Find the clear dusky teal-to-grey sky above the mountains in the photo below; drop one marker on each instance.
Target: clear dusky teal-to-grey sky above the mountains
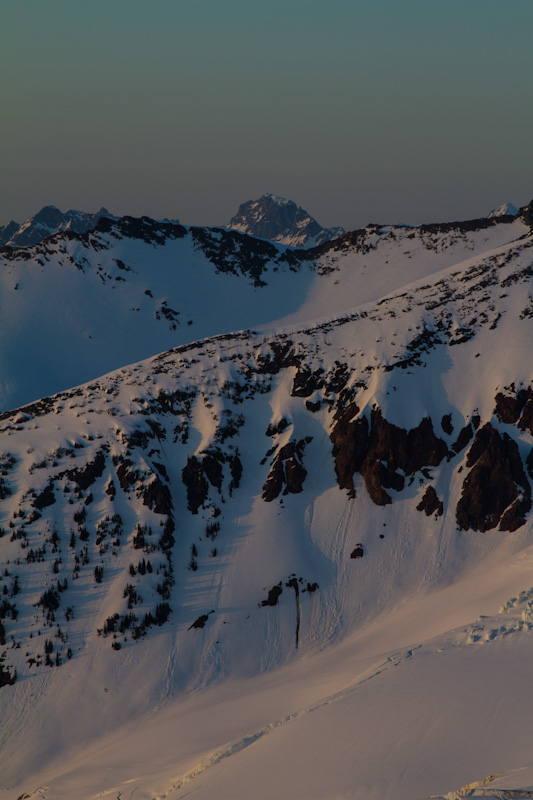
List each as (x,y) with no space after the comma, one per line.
(360,111)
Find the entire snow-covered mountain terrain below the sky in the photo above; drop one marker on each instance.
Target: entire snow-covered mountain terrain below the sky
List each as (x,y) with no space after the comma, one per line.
(265,511)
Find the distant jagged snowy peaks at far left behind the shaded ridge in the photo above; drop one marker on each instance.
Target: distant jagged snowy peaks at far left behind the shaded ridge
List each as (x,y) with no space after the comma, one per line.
(46,222)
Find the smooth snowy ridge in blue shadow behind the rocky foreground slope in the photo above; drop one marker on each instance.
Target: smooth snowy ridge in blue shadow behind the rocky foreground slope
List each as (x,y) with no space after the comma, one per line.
(78,305)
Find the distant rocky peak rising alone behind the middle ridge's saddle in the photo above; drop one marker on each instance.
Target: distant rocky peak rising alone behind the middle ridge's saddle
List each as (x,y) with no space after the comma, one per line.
(282,221)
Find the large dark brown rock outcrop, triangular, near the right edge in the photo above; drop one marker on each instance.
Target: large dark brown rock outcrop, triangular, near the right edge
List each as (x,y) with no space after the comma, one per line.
(496,491)
